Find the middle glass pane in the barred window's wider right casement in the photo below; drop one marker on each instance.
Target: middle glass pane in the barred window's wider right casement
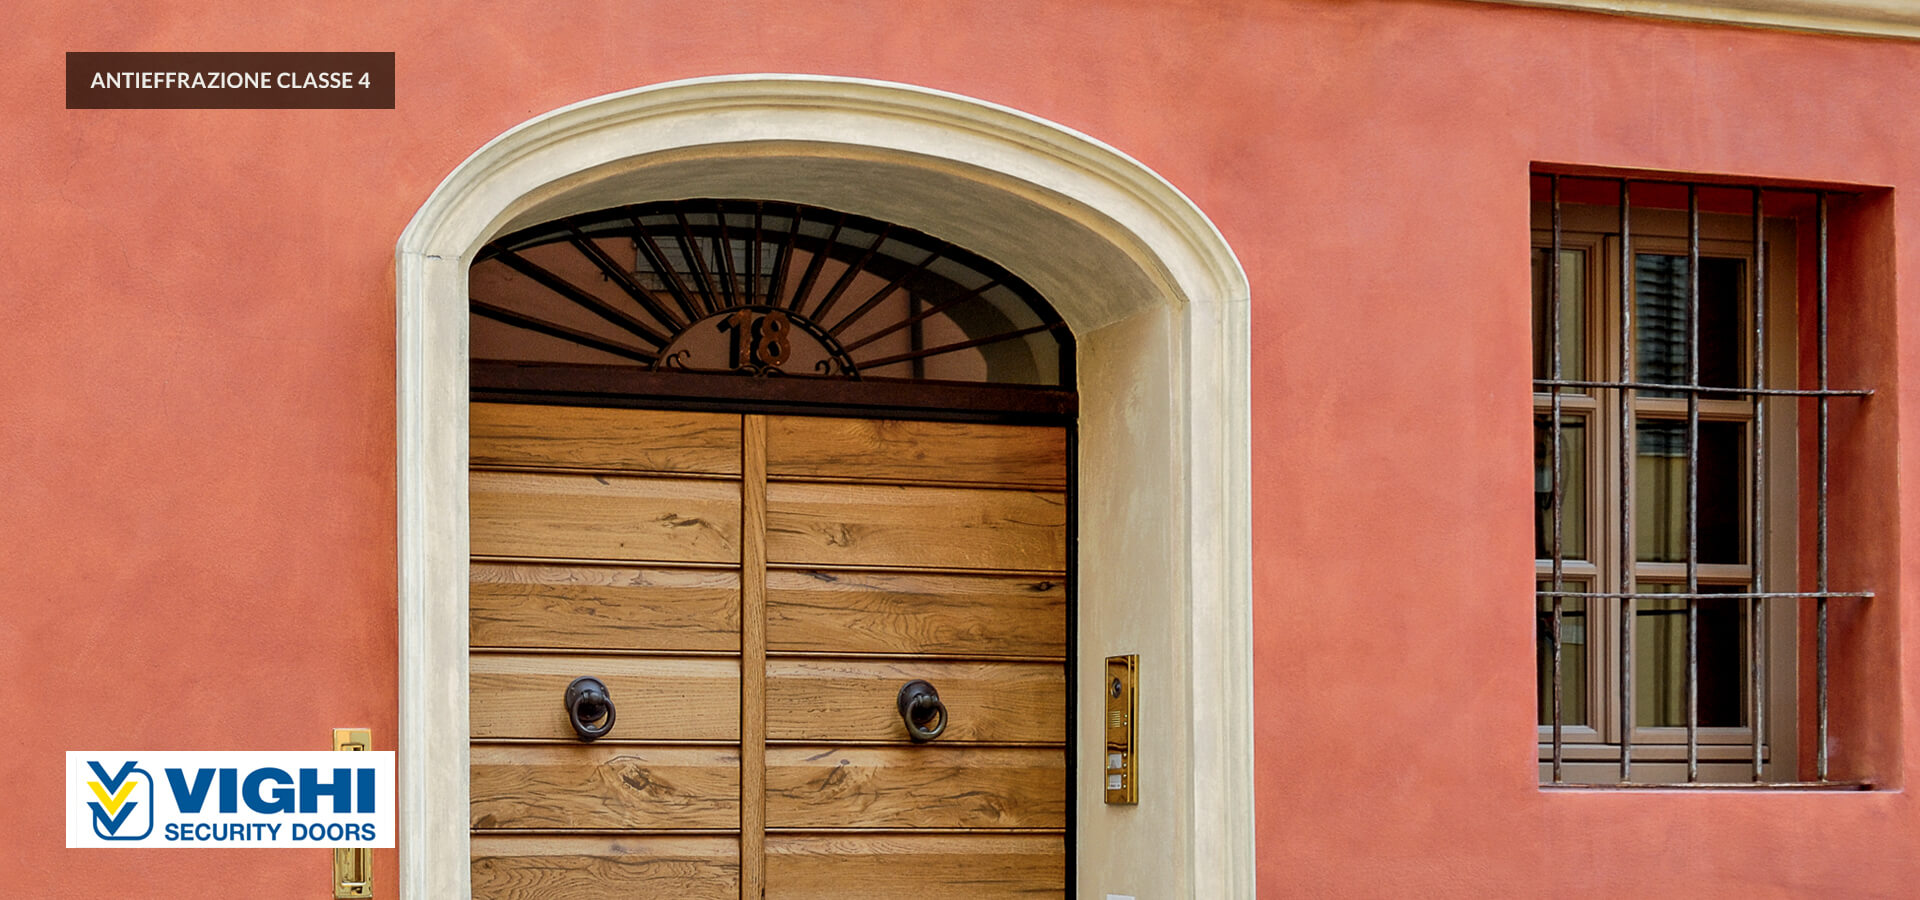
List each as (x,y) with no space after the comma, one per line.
(1660,492)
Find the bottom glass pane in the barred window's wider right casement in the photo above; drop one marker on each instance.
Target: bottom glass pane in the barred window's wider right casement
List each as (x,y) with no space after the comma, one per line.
(1660,659)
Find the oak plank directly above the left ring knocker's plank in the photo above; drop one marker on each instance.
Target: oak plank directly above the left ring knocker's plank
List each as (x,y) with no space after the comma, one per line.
(604,607)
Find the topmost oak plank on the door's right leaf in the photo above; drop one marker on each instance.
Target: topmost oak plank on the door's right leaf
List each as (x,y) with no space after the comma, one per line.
(888,450)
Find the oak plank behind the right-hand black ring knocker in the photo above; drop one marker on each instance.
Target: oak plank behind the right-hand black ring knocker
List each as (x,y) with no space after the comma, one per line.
(832,701)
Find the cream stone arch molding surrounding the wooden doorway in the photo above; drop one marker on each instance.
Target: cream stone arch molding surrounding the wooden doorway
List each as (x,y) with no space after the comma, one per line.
(1157,302)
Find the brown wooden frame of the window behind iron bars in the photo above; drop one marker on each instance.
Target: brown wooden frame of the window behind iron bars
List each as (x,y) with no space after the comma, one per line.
(1593,749)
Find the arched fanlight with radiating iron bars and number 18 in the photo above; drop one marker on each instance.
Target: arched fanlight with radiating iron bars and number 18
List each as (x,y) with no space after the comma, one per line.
(761,289)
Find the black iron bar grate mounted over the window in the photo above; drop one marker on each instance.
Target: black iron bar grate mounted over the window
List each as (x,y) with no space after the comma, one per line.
(1671,367)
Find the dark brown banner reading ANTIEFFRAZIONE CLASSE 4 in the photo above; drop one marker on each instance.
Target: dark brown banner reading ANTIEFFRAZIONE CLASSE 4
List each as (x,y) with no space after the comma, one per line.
(229,82)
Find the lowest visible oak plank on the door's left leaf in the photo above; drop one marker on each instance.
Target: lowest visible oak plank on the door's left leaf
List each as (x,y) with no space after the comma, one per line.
(594,868)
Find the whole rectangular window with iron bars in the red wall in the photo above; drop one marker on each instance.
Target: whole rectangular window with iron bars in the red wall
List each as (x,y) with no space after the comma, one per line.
(1673,609)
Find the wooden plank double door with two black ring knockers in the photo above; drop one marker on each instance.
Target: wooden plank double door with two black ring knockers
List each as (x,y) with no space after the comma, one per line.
(756,592)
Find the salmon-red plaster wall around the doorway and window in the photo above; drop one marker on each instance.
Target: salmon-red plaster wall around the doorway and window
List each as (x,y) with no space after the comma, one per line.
(197,423)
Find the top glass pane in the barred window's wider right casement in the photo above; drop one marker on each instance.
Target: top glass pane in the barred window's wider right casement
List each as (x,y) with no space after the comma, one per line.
(1662,314)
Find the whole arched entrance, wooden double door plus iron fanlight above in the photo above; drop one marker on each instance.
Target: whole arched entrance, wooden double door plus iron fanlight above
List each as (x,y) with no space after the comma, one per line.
(792,486)
